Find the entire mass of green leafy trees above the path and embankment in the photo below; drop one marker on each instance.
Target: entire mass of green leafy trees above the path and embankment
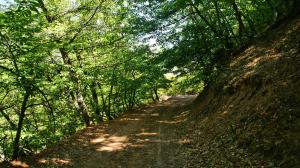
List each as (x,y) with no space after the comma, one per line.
(69,63)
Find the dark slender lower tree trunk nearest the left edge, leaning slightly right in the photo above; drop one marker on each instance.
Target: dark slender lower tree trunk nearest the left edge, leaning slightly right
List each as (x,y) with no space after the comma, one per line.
(16,143)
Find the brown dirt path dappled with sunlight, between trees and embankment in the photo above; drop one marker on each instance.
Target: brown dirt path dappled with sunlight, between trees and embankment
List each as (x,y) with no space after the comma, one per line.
(149,137)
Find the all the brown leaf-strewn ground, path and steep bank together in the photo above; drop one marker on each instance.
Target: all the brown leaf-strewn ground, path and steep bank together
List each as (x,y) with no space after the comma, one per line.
(248,118)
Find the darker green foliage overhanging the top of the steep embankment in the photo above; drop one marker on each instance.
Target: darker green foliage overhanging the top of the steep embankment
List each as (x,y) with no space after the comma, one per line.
(199,36)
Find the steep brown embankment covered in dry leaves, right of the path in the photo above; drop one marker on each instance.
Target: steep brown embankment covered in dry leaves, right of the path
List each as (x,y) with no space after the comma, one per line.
(250,117)
